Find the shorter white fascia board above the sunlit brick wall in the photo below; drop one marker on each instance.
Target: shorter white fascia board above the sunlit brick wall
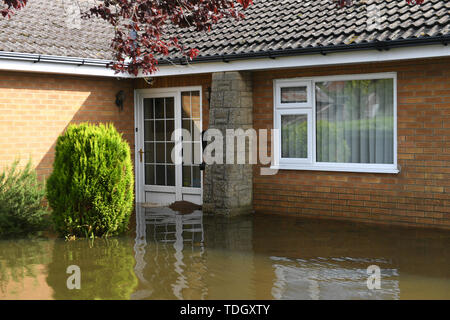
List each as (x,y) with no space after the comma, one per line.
(60,68)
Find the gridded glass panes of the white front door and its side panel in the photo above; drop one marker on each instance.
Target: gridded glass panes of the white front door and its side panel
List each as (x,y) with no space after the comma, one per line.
(159,124)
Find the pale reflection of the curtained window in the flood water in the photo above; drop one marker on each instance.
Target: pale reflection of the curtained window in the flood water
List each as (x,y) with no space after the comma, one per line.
(333,278)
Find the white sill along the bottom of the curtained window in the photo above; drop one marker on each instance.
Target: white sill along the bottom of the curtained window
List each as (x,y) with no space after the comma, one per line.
(368,169)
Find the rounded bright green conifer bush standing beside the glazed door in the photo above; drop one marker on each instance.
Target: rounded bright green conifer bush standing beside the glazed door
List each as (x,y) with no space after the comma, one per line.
(91,187)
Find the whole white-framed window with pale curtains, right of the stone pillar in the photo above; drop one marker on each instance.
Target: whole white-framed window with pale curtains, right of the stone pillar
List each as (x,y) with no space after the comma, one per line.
(343,123)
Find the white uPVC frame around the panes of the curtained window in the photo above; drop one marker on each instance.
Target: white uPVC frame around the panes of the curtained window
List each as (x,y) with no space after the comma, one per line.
(279,109)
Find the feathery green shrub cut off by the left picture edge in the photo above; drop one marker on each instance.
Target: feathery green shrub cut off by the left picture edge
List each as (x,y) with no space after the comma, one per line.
(21,202)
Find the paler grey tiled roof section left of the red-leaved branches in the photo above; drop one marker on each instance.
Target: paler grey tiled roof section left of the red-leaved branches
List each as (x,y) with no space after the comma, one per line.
(47,27)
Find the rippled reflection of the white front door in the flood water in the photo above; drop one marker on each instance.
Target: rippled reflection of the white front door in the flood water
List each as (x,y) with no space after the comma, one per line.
(165,234)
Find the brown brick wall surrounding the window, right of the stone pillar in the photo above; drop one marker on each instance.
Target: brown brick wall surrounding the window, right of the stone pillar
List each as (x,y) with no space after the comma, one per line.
(418,195)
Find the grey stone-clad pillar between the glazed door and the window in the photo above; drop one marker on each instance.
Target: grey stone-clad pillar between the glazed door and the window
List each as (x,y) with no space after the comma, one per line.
(228,188)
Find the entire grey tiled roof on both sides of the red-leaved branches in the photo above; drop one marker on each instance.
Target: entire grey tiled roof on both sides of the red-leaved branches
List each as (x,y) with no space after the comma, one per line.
(270,27)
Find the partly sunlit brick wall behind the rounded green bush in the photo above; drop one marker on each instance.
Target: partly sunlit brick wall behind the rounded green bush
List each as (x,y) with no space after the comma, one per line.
(35,109)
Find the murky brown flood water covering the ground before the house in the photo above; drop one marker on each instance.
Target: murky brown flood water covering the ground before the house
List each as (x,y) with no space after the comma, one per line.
(174,256)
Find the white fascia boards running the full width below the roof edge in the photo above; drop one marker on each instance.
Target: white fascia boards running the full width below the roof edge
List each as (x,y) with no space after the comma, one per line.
(10,61)
